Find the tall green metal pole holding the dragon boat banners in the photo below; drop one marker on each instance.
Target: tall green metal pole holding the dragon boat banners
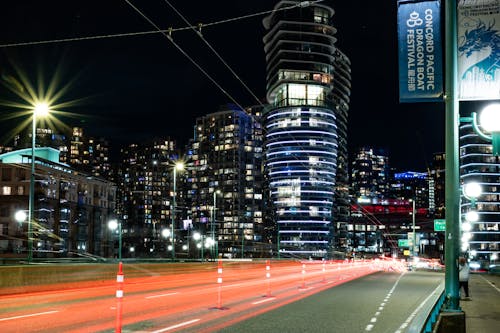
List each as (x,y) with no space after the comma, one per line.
(452,191)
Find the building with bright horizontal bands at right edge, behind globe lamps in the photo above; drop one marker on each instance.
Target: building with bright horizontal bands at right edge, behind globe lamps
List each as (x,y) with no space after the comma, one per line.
(477,164)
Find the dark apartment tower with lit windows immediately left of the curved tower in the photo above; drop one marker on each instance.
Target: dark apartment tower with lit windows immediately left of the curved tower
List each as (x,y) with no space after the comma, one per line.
(225,182)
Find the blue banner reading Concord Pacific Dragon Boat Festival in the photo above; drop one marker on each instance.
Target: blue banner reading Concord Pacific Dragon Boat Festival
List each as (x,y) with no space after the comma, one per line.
(420,55)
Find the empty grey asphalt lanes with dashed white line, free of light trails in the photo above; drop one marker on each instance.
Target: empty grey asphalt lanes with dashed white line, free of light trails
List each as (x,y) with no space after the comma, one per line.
(381,302)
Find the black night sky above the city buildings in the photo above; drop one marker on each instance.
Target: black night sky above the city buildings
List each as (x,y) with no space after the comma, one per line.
(133,88)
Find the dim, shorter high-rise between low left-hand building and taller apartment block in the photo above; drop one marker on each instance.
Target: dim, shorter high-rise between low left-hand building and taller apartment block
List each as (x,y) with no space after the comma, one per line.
(145,196)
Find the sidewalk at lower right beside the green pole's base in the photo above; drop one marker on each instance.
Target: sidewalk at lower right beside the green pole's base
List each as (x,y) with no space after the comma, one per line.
(482,311)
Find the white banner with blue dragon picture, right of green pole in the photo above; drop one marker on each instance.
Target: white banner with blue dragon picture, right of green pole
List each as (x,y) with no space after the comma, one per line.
(478,49)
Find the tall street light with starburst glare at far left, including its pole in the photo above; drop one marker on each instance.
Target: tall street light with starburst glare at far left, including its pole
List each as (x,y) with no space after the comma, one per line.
(40,109)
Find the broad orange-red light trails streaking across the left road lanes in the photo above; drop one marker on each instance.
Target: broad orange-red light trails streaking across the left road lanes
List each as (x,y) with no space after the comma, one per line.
(172,298)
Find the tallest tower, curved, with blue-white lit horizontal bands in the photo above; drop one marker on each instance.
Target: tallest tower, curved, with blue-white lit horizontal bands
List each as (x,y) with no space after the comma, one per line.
(308,87)
